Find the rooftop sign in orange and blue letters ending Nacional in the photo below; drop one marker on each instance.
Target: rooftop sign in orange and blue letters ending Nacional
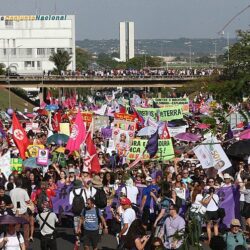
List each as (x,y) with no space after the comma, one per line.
(34,18)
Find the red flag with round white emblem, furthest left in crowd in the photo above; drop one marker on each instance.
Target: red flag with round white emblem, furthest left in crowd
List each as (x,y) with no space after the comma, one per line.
(19,136)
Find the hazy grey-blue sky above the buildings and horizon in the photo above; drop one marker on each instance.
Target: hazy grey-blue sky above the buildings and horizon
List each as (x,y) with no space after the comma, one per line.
(154,19)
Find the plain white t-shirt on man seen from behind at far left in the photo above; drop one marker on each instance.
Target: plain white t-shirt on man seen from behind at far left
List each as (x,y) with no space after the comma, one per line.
(19,195)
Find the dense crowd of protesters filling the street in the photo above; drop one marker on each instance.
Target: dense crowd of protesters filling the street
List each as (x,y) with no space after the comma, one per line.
(151,205)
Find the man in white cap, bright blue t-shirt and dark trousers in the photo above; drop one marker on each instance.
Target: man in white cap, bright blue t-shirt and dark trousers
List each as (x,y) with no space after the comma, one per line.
(149,202)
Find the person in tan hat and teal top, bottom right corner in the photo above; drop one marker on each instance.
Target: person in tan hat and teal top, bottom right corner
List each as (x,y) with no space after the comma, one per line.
(234,237)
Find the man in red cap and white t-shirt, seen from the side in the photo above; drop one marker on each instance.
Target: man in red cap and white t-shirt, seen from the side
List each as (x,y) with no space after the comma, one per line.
(127,217)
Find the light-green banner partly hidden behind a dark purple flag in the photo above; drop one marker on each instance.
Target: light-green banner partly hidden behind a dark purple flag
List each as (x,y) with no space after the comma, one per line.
(165,150)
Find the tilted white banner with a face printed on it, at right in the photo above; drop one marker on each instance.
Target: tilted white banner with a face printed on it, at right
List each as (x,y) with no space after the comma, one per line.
(212,155)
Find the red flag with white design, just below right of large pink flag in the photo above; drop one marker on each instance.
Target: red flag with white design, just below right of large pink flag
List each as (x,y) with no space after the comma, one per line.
(92,157)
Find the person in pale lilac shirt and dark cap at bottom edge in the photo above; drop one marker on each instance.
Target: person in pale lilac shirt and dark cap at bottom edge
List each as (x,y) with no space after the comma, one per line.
(172,225)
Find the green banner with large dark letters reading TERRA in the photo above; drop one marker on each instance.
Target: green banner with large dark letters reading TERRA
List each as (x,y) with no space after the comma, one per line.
(165,114)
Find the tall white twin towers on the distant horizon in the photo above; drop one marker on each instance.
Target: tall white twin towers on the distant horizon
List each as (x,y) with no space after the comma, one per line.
(127,44)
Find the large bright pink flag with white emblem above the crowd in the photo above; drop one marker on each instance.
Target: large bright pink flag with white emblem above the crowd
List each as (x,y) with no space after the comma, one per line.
(78,134)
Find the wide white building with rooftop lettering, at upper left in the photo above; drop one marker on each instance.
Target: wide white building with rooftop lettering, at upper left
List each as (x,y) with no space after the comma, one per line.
(26,42)
